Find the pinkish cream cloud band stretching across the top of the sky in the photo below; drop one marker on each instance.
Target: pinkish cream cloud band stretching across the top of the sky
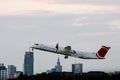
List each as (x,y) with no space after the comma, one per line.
(32,7)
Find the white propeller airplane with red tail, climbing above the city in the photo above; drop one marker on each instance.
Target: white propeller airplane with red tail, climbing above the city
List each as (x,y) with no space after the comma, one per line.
(67,51)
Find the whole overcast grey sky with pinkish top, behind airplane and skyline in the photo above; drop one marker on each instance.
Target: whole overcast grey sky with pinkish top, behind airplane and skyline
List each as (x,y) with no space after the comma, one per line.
(85,25)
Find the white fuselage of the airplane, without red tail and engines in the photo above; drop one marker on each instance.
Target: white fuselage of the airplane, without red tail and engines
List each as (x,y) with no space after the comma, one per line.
(61,50)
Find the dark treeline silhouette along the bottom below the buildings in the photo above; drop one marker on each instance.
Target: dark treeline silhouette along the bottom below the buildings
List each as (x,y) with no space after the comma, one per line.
(70,76)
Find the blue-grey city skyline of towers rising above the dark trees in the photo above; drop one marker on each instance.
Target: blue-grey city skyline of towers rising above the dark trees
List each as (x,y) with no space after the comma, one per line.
(29,67)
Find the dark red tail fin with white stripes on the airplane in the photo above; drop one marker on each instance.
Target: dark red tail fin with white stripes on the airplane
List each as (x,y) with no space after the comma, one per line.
(102,52)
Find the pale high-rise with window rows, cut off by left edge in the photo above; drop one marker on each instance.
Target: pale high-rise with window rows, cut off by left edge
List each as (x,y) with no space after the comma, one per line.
(3,72)
